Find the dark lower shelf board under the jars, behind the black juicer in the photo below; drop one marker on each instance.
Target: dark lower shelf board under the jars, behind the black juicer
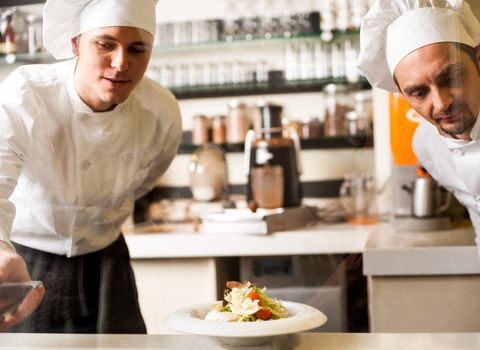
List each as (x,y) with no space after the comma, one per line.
(339,142)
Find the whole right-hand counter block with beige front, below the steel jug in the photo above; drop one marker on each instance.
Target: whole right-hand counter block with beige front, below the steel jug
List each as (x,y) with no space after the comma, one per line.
(429,280)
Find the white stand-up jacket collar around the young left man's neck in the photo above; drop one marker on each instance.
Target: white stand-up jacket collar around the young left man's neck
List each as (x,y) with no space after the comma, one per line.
(79,106)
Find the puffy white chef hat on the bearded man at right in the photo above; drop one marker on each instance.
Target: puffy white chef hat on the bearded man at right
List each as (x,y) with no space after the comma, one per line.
(394,28)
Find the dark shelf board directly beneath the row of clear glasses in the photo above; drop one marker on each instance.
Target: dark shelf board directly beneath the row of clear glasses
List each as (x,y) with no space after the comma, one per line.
(252,89)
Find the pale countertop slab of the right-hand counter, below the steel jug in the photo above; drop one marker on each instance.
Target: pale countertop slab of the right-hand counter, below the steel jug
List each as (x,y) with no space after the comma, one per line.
(445,252)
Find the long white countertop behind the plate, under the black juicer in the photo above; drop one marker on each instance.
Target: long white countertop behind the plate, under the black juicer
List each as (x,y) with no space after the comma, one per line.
(180,241)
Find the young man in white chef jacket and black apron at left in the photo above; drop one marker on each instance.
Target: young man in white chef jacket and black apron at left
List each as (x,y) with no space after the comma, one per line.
(80,140)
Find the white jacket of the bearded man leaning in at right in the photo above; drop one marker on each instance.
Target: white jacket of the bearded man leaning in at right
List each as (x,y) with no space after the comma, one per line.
(455,164)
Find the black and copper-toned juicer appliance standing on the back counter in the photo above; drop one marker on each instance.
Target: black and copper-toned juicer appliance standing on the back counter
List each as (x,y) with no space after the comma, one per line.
(272,161)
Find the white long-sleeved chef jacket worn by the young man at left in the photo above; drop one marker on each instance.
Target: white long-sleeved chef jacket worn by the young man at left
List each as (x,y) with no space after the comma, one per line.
(69,176)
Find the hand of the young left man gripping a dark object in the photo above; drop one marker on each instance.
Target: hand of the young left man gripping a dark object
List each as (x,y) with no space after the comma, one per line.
(13,269)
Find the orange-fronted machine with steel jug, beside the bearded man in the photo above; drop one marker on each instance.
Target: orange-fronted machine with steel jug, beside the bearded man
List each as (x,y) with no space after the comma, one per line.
(418,202)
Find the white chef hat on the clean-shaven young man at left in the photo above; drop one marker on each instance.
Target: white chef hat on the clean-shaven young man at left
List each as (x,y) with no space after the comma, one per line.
(65,19)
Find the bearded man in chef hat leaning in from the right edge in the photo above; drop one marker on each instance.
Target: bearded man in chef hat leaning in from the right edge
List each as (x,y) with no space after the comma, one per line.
(429,51)
